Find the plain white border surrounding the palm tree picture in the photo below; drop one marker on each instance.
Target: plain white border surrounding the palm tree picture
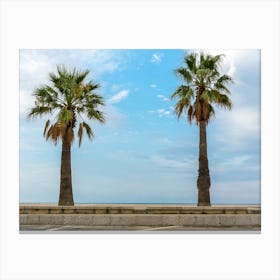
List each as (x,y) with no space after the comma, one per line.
(140,24)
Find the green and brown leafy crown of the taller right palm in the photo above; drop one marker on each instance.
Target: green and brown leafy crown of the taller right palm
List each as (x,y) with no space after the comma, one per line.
(204,86)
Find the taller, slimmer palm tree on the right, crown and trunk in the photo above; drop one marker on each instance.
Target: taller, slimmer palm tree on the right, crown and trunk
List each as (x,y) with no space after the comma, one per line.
(204,86)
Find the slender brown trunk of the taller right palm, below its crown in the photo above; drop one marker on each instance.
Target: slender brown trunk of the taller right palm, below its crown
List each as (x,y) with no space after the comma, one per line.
(203,181)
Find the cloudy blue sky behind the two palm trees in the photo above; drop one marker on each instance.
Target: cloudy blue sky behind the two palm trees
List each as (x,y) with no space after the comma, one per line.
(143,153)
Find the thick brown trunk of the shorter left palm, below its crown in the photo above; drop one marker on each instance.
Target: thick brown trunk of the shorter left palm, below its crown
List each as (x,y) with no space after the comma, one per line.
(66,194)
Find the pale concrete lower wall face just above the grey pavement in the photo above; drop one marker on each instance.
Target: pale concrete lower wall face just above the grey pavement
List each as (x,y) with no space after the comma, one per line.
(193,220)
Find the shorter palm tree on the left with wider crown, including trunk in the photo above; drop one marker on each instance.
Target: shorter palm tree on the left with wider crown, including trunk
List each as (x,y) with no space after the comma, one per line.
(69,99)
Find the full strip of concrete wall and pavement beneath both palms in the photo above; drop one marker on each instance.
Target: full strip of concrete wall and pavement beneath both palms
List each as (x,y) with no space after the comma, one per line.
(139,218)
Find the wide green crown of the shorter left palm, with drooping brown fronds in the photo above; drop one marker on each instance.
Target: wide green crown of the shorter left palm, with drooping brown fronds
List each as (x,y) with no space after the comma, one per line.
(68,96)
